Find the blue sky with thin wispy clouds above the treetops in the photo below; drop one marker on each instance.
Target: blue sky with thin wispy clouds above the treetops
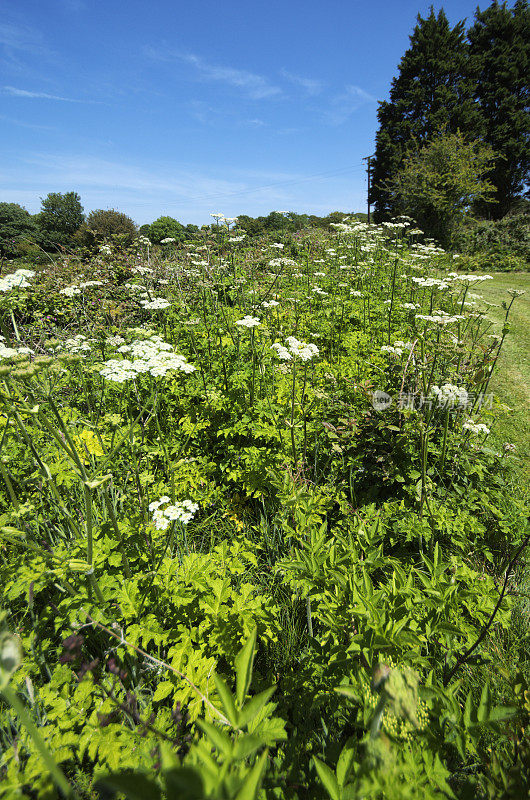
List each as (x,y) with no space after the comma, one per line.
(192,108)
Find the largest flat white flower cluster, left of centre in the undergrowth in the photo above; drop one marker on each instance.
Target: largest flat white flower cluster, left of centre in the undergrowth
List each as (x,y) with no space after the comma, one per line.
(151,355)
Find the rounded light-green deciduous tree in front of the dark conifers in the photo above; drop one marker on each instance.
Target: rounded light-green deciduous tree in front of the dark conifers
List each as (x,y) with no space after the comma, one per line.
(440,181)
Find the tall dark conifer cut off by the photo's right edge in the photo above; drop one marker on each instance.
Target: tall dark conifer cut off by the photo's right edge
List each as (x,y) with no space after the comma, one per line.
(500,56)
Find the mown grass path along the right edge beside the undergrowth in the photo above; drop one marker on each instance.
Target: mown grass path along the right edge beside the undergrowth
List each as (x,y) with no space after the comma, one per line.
(511,382)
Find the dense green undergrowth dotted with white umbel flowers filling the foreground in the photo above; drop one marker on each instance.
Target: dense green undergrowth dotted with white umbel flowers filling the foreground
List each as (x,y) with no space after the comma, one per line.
(255,542)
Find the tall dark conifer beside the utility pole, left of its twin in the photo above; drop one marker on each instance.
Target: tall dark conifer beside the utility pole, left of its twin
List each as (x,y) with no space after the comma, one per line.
(432,92)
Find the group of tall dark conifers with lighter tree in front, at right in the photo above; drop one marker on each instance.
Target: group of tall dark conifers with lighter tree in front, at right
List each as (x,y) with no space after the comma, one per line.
(457,112)
